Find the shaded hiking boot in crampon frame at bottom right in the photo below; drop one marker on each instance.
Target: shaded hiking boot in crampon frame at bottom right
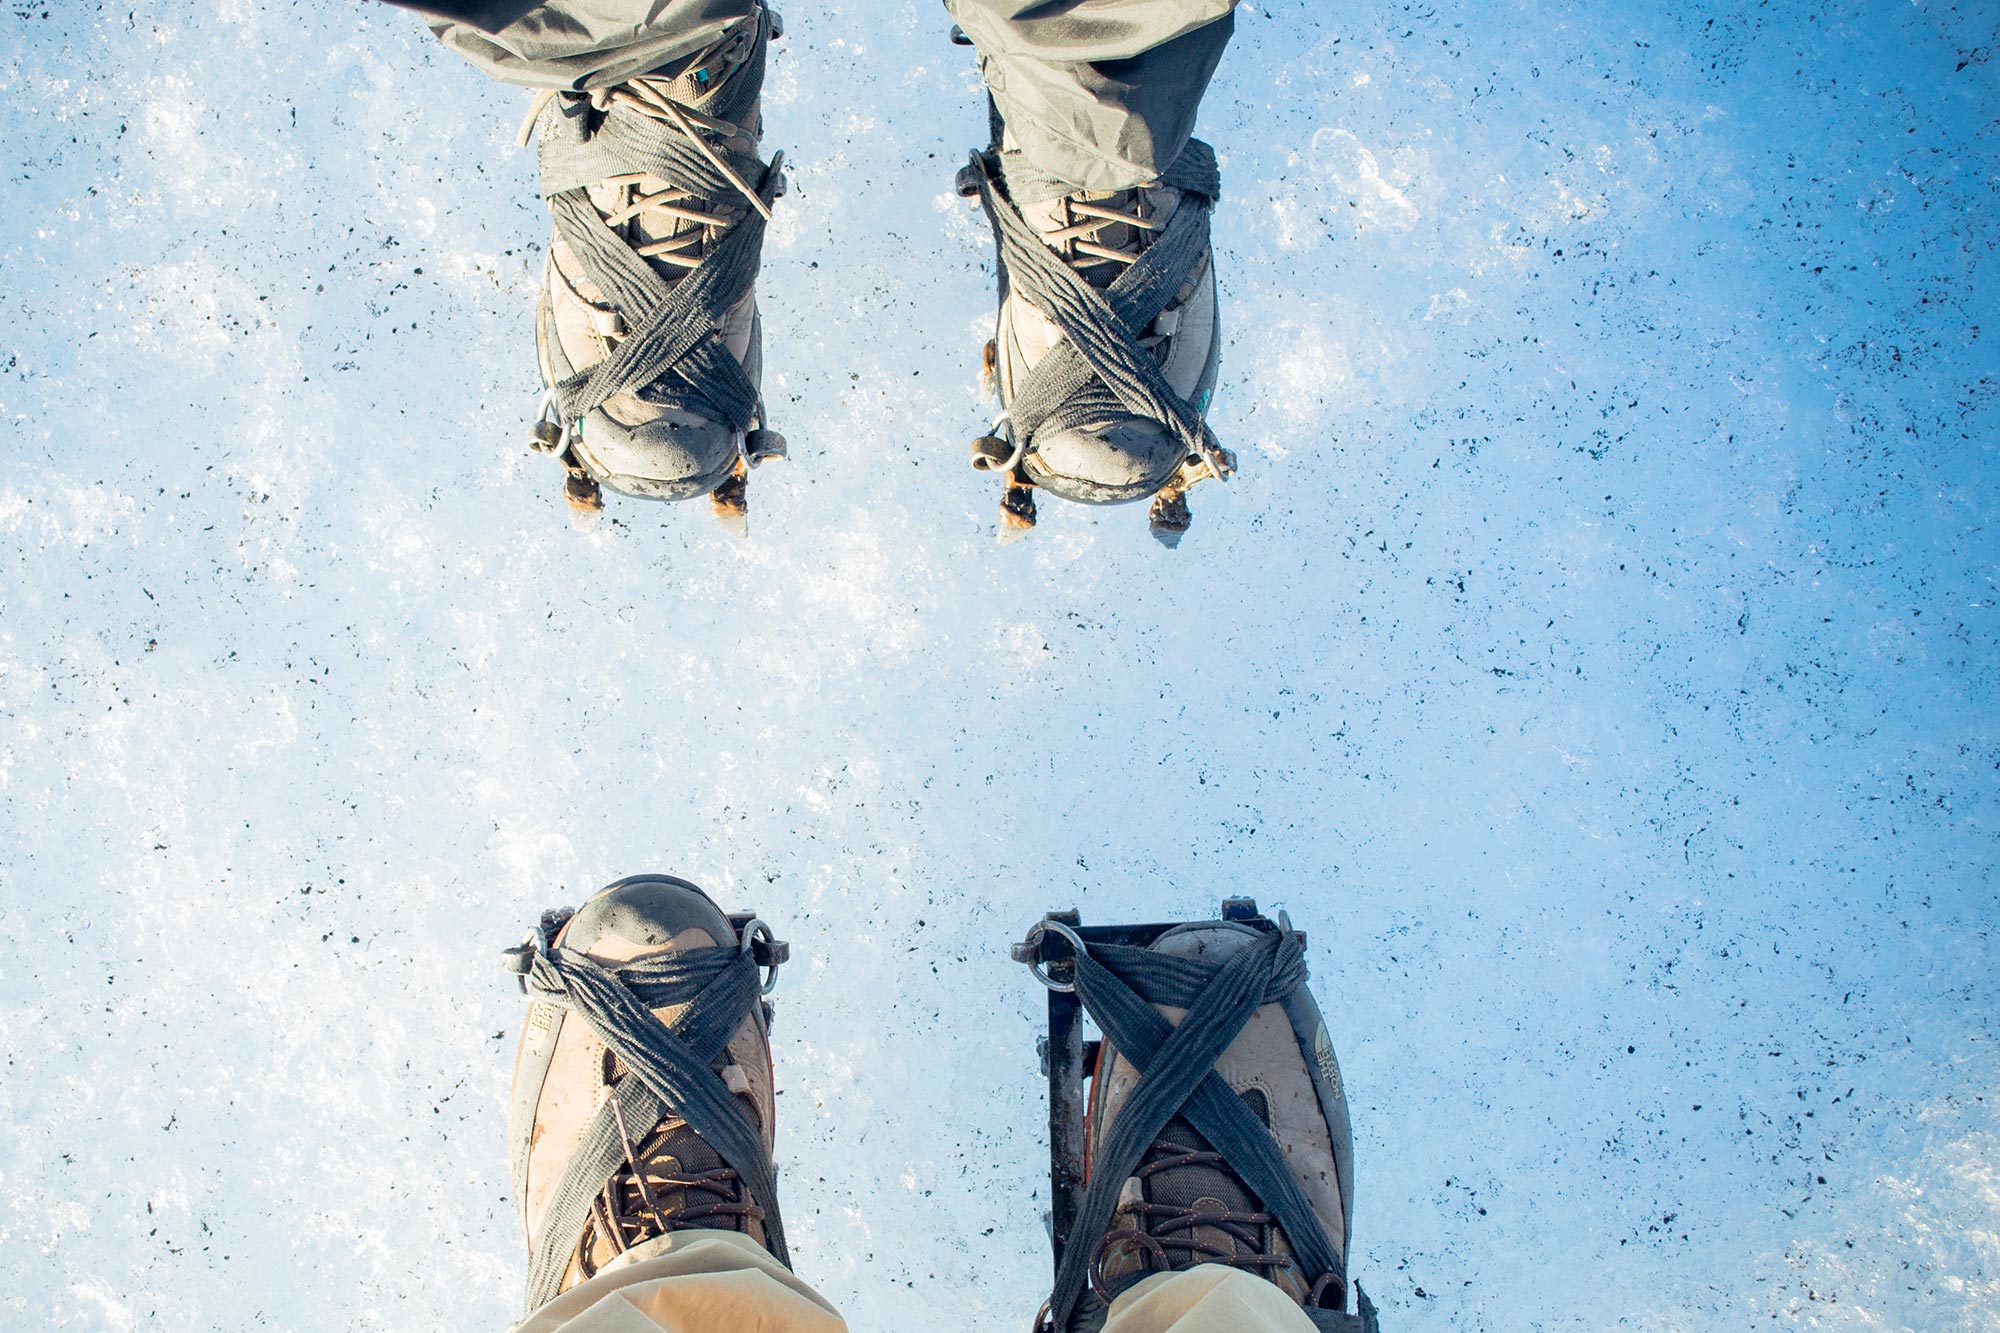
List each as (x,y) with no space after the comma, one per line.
(1235,1150)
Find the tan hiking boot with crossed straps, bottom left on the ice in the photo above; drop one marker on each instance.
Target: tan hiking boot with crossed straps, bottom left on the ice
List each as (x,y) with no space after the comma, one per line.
(647,988)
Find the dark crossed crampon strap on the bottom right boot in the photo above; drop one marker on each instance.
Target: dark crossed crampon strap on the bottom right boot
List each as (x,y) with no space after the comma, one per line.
(1119,988)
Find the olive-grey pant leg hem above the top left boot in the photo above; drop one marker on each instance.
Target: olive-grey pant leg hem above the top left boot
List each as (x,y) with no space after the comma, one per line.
(591,43)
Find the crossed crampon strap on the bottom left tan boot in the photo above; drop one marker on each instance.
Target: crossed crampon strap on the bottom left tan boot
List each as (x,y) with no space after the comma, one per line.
(669,1068)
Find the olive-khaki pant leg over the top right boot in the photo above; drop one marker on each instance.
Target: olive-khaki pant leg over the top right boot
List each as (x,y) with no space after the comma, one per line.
(1099,93)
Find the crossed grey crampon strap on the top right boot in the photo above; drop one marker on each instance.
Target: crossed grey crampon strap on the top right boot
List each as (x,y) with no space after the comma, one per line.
(1101,369)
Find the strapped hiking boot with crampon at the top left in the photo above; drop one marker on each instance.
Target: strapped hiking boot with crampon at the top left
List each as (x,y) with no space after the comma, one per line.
(647,325)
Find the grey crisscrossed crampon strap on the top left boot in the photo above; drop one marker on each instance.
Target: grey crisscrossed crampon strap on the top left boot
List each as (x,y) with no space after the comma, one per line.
(673,351)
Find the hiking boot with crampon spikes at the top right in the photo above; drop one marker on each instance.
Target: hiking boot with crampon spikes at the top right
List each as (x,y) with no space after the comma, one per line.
(1119,413)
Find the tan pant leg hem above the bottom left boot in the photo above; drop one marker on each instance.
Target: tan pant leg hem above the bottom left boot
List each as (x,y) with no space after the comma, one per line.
(691,1282)
